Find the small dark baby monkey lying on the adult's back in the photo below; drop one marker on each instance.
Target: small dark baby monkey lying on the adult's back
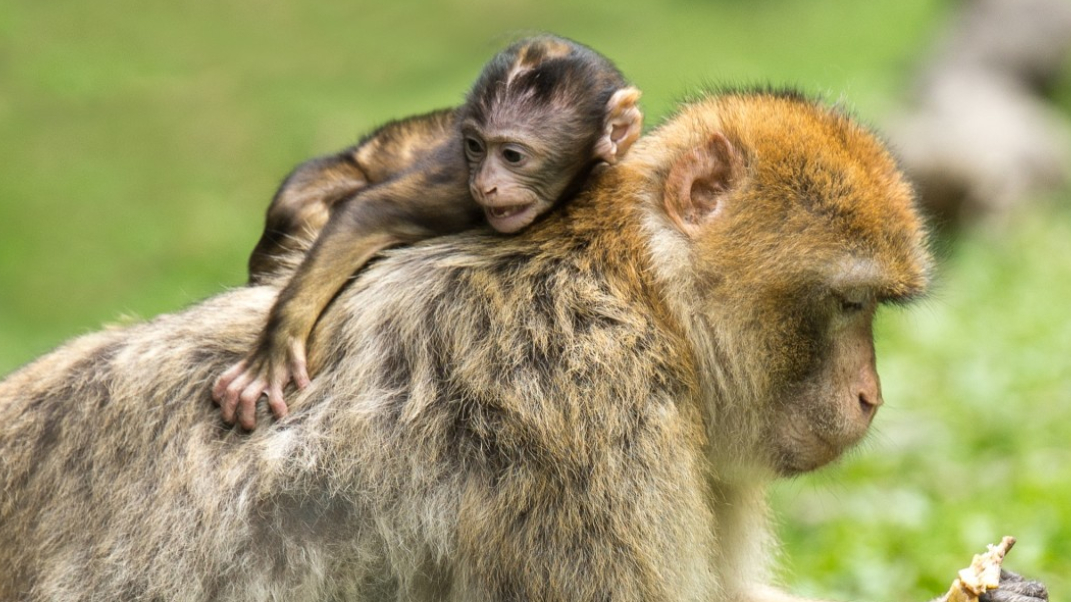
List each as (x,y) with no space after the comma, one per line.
(541,116)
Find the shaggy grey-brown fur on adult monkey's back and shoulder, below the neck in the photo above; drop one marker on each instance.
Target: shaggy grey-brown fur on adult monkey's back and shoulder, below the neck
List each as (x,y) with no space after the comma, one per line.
(122,484)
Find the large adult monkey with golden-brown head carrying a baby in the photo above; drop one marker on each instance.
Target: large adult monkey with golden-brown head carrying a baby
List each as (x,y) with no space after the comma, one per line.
(591,411)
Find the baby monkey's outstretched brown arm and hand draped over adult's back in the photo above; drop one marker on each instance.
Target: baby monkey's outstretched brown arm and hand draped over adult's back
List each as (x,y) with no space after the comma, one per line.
(430,200)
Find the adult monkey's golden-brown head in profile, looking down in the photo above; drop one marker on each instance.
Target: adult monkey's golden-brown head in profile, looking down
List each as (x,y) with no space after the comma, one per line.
(781,229)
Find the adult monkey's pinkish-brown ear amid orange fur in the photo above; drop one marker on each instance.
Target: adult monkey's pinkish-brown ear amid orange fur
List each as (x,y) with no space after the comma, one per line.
(700,182)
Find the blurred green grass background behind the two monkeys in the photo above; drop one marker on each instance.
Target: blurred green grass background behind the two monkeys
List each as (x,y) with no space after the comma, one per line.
(141,142)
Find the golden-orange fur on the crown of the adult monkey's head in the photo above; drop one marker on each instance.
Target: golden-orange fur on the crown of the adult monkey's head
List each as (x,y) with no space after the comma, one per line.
(831,163)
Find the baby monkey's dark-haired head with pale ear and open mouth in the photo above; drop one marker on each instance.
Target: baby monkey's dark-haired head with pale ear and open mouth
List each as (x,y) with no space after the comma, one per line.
(541,115)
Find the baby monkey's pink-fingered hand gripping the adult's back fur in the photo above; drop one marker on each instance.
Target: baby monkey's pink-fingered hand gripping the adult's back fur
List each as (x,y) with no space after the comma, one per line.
(238,390)
